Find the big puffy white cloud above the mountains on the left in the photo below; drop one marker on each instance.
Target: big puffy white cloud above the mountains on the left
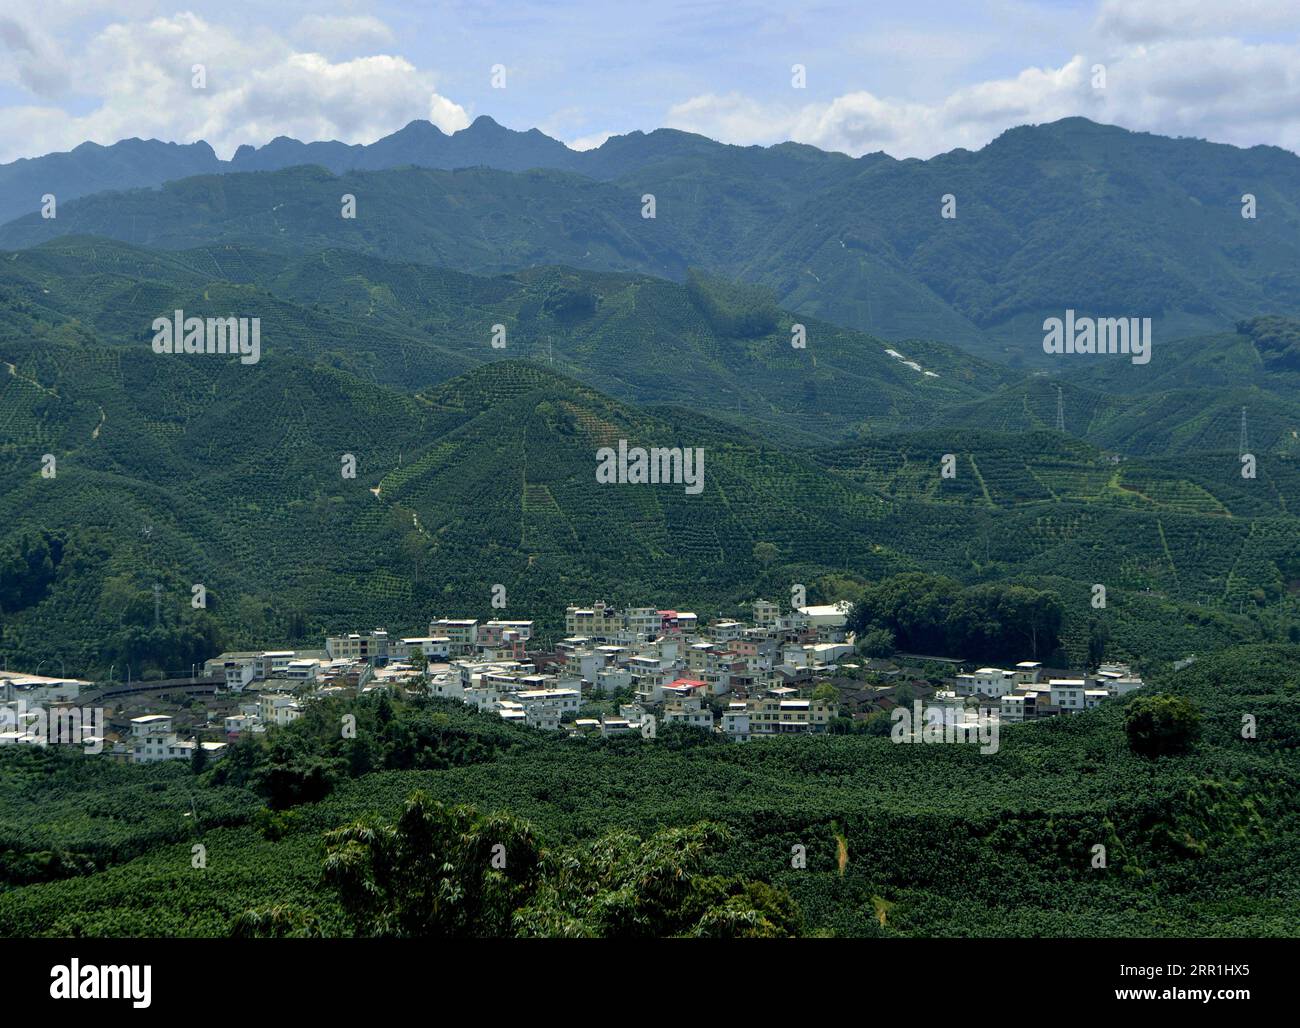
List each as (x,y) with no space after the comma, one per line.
(258,88)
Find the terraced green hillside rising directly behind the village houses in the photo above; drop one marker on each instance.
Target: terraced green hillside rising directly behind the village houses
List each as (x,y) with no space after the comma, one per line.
(209,471)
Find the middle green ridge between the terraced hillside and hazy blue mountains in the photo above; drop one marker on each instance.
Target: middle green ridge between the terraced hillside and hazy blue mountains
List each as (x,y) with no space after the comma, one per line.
(709,345)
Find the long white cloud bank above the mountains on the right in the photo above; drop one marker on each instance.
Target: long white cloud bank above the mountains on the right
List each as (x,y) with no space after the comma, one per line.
(1221,89)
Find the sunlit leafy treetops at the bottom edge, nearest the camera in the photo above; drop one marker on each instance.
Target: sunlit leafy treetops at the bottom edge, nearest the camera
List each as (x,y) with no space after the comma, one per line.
(452,871)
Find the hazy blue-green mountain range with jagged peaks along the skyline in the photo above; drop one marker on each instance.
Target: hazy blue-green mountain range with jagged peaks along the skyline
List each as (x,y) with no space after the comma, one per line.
(1067,215)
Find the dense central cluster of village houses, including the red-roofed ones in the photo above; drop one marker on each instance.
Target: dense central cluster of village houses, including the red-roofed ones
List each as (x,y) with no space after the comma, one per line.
(673,667)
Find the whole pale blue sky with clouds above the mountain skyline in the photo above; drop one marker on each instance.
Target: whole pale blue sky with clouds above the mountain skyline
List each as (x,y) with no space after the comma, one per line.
(911,79)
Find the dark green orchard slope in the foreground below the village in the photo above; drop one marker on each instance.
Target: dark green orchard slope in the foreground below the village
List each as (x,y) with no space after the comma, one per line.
(935,840)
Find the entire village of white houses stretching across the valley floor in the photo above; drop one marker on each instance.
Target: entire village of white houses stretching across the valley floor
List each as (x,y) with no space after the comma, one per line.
(617,673)
